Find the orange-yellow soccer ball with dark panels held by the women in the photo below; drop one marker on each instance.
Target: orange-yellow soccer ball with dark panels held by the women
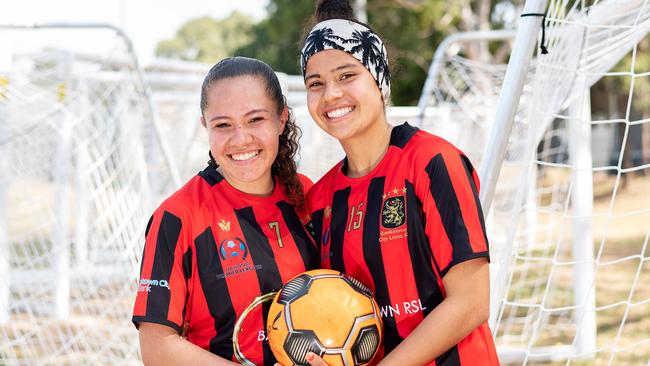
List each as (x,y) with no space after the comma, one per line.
(328,313)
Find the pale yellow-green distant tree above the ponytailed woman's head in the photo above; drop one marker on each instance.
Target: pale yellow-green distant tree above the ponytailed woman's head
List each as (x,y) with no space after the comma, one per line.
(208,40)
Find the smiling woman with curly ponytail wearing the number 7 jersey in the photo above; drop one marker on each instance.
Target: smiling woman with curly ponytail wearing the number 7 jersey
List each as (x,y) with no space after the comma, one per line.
(233,232)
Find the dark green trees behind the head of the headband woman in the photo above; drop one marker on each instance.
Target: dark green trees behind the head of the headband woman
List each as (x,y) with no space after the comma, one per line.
(412,29)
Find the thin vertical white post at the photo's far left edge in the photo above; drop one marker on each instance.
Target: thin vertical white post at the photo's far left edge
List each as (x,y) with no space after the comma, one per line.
(4,204)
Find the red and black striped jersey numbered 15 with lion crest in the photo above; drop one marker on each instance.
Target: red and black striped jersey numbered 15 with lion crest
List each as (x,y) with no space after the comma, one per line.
(400,228)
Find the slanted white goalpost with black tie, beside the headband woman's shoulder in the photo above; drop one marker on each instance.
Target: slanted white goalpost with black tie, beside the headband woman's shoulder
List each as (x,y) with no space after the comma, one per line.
(513,83)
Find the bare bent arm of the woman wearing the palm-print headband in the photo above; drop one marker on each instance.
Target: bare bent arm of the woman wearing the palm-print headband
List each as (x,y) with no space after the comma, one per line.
(465,308)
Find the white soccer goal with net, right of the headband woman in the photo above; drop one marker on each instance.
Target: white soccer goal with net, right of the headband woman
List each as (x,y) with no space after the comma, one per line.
(569,212)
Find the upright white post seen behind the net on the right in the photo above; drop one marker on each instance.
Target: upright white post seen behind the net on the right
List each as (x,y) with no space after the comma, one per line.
(582,211)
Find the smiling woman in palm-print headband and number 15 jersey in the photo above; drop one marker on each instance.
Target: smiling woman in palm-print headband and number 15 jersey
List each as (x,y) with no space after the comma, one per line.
(401,212)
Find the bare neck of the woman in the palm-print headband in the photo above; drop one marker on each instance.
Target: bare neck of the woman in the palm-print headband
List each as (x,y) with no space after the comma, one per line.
(365,152)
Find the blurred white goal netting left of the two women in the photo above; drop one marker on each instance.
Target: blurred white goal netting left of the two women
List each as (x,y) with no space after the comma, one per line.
(74,200)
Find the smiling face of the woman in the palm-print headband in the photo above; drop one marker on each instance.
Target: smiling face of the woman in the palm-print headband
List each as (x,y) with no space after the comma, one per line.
(342,96)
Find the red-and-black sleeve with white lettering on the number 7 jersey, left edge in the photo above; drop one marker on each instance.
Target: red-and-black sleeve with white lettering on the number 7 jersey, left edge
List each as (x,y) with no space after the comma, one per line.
(164,270)
